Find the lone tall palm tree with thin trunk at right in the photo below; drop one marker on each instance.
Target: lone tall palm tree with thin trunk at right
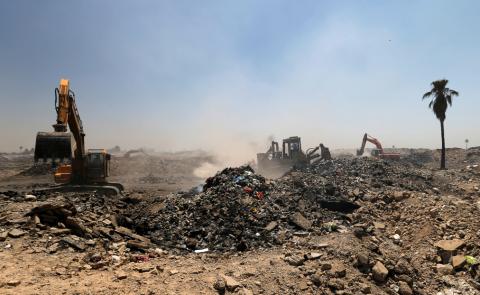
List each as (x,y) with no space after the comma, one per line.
(441,99)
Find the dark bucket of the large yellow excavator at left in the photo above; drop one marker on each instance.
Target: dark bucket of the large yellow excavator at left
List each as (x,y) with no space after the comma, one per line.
(54,146)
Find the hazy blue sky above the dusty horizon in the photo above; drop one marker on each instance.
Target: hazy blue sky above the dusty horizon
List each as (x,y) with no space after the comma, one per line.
(227,76)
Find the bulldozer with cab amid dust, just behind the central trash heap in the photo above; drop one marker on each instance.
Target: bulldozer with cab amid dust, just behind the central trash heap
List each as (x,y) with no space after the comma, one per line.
(290,156)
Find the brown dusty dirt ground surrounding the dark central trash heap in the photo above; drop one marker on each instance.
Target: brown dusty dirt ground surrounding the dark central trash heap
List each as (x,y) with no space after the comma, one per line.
(398,224)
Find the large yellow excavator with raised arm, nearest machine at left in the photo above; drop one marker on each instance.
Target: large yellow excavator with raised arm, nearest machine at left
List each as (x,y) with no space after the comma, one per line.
(77,170)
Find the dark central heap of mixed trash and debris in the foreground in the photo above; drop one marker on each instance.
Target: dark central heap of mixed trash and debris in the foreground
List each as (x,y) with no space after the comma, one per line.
(236,211)
